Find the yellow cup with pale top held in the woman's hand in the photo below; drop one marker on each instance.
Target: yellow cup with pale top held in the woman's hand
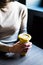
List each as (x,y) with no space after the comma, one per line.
(23,39)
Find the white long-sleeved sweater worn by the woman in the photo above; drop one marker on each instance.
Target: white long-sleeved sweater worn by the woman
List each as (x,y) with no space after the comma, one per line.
(14,18)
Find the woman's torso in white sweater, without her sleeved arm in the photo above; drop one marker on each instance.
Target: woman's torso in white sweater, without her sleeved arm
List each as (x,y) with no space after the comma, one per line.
(10,22)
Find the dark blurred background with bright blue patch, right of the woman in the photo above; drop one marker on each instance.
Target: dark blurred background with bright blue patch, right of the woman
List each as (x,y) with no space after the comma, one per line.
(35,20)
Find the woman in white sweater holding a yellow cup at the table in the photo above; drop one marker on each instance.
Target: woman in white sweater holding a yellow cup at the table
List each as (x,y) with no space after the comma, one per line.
(13,18)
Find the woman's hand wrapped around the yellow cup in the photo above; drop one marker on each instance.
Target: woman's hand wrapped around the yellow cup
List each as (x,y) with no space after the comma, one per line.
(21,48)
